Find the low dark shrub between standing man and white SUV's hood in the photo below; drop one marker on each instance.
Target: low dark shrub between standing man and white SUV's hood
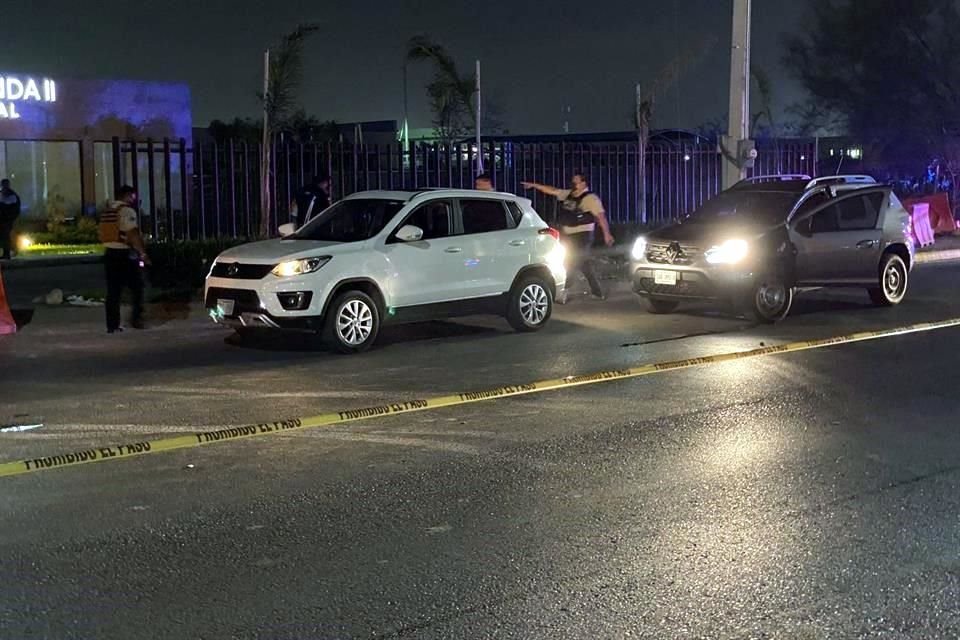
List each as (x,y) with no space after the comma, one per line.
(184,264)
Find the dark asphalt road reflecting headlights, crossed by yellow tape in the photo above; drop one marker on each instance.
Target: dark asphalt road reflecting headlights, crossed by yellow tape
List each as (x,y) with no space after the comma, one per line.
(810,495)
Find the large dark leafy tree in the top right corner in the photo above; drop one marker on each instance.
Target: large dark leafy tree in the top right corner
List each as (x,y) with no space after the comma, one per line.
(884,72)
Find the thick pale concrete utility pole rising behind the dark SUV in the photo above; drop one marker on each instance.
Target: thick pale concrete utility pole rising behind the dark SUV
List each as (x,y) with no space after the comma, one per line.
(737,141)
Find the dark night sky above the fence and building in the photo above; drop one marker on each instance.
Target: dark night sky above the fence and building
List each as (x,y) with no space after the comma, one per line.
(536,56)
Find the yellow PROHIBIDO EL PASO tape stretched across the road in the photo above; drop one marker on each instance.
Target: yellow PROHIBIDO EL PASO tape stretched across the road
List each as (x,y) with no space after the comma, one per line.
(133,449)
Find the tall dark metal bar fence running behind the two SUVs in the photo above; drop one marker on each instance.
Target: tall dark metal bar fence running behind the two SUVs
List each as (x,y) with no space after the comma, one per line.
(213,190)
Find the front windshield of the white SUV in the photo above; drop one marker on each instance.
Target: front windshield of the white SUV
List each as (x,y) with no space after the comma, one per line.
(353,220)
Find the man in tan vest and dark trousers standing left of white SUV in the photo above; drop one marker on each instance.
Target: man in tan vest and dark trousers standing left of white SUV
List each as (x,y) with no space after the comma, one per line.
(124,257)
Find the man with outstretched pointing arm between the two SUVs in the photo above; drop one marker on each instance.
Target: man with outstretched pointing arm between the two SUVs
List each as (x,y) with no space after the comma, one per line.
(581,211)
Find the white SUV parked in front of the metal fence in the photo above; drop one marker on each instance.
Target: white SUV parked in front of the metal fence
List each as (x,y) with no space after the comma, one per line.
(394,256)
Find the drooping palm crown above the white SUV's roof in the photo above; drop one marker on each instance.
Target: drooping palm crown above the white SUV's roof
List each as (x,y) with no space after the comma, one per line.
(451,94)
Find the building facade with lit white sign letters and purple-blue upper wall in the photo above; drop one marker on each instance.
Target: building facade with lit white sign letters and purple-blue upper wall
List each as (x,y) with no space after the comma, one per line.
(56,137)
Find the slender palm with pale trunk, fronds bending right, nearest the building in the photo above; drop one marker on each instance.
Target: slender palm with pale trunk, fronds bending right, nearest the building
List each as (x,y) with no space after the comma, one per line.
(279,102)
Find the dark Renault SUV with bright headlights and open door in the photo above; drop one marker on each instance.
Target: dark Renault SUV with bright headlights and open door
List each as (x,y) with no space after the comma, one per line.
(760,241)
